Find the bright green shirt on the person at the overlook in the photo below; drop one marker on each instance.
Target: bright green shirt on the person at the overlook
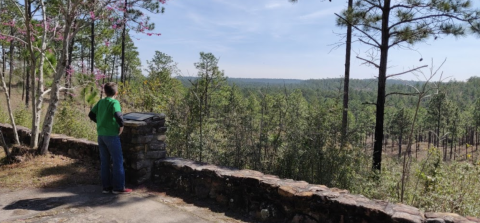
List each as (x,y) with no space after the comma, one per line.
(105,110)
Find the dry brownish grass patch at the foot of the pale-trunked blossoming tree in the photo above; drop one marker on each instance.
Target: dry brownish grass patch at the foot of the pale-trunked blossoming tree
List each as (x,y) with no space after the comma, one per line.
(49,171)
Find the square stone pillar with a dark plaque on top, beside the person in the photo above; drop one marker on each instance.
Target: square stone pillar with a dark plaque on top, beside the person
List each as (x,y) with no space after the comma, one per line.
(143,142)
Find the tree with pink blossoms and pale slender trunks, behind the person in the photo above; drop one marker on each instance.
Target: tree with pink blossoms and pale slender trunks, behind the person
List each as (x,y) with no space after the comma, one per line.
(58,25)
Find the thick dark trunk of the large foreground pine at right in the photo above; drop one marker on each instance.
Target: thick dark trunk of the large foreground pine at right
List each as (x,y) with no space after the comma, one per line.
(382,79)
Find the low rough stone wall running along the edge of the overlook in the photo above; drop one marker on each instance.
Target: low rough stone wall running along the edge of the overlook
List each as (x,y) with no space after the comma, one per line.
(265,197)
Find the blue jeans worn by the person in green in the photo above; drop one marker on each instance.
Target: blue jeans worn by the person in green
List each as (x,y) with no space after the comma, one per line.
(111,152)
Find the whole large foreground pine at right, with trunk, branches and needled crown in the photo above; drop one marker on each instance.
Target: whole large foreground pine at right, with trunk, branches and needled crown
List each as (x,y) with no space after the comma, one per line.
(383,25)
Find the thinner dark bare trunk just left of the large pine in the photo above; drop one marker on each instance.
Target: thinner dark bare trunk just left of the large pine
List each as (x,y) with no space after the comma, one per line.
(346,80)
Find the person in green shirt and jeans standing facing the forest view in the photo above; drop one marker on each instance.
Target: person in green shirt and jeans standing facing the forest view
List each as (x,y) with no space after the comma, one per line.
(107,113)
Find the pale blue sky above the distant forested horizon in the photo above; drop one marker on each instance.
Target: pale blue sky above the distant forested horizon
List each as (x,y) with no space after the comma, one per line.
(279,39)
